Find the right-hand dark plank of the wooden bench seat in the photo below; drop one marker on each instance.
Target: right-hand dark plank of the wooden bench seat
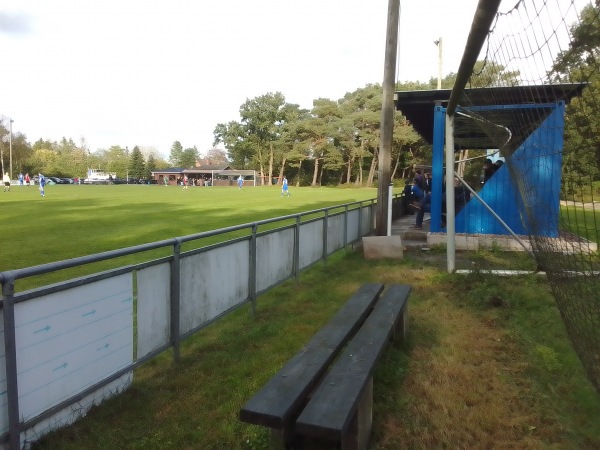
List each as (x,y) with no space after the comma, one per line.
(330,410)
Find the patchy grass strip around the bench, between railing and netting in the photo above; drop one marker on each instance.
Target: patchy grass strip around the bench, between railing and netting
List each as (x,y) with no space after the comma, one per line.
(487,365)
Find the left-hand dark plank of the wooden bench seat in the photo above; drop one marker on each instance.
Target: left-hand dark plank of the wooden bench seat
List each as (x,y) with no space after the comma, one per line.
(280,400)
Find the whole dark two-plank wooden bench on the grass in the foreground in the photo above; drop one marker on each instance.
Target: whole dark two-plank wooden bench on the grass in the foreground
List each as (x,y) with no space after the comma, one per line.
(293,403)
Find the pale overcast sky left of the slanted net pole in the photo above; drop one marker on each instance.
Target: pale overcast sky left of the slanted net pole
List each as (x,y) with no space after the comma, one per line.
(149,72)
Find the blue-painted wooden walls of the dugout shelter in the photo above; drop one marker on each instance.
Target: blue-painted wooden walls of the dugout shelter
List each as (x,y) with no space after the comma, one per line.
(531,176)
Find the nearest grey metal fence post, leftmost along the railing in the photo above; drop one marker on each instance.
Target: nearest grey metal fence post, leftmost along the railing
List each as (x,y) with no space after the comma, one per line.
(10,349)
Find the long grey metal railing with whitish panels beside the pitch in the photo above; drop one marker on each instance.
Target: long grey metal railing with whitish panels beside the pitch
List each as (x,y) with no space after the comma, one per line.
(80,340)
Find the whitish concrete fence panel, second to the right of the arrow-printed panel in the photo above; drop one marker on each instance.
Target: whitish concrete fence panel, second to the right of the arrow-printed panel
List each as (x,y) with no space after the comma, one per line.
(212,282)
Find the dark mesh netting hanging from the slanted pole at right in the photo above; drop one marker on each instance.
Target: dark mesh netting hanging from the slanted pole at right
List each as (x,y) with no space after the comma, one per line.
(533,102)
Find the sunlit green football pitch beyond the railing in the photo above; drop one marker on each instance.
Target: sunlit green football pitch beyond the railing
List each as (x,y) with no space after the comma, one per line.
(77,220)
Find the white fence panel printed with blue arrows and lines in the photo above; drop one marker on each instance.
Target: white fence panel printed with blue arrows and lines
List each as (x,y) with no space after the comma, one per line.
(69,340)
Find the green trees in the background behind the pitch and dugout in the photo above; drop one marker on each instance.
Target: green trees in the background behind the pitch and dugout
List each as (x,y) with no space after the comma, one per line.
(336,141)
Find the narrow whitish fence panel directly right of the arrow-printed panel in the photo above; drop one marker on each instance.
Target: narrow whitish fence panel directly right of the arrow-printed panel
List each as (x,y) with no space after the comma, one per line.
(153,308)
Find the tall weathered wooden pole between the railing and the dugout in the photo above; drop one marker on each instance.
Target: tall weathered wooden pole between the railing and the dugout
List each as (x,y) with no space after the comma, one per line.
(387,117)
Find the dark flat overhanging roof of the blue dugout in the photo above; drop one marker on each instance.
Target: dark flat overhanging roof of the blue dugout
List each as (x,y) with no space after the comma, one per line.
(418,108)
